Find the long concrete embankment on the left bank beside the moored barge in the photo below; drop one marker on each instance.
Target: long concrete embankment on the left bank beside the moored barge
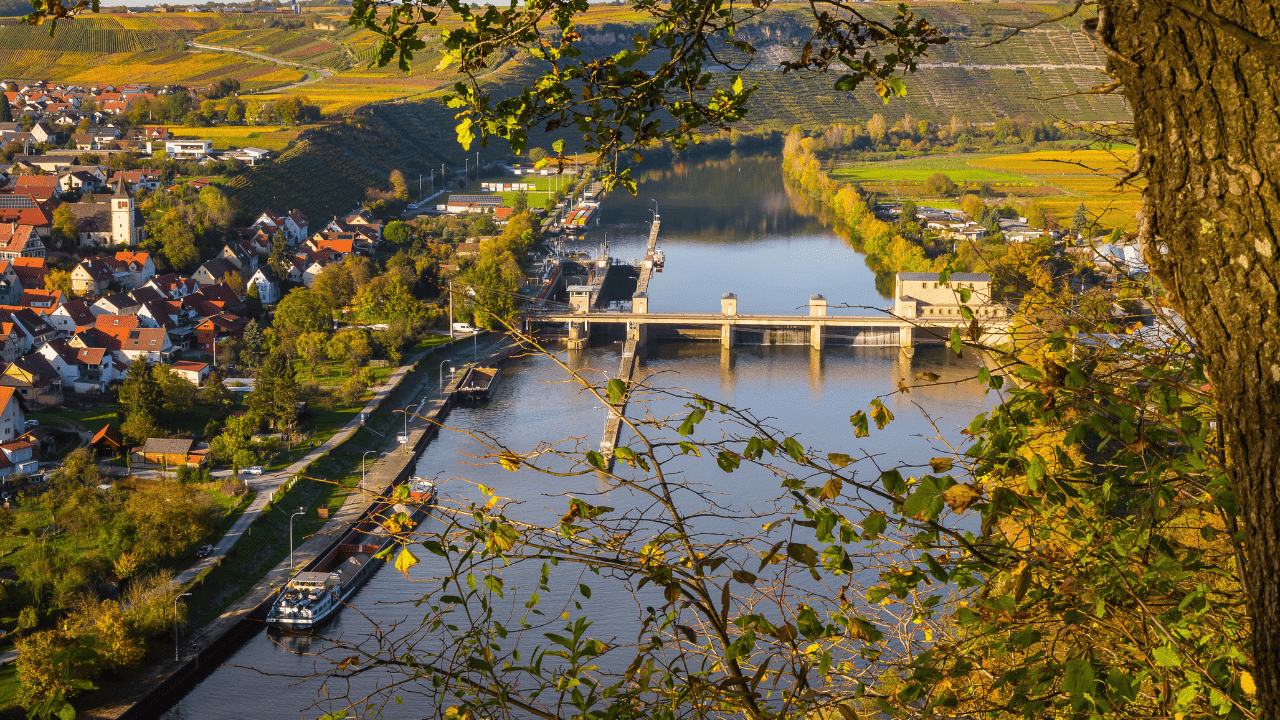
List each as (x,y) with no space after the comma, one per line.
(203,651)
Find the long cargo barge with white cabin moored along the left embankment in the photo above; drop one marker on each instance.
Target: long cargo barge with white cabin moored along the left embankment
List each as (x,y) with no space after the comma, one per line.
(317,594)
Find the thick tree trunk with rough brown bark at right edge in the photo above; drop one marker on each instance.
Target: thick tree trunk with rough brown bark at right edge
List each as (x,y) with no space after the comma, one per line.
(1205,90)
